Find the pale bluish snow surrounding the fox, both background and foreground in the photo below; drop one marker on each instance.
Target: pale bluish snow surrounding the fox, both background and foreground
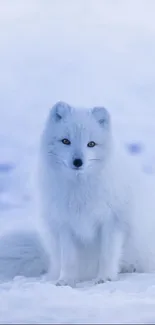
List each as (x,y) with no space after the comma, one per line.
(86,52)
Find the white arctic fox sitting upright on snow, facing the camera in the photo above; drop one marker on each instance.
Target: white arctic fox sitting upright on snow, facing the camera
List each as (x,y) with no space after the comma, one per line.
(84,200)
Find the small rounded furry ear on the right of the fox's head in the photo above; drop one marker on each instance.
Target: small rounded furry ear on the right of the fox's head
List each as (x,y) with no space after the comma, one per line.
(102,116)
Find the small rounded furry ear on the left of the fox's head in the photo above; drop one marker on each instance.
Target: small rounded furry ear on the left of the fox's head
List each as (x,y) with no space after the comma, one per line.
(60,110)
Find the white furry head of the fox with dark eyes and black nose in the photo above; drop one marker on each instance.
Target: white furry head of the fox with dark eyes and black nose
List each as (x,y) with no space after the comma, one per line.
(77,140)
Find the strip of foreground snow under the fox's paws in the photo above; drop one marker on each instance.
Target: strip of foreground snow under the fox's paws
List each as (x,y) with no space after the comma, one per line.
(130,300)
